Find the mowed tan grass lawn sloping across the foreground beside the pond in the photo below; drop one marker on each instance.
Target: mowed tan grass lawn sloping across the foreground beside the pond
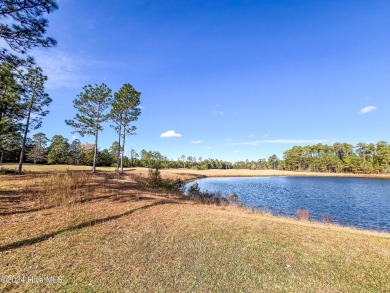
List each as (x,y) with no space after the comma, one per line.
(125,238)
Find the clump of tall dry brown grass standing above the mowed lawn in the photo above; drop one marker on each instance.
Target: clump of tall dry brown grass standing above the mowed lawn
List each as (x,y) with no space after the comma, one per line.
(63,188)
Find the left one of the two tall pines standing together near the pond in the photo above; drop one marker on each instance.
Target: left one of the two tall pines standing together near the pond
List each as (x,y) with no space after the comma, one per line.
(91,105)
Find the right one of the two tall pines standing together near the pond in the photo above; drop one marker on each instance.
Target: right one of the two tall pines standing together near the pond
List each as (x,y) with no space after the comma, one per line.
(125,110)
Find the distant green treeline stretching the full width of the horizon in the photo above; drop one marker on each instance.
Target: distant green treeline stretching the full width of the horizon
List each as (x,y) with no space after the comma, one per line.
(339,157)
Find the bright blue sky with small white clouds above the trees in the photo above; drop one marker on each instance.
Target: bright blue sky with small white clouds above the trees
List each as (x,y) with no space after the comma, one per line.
(232,80)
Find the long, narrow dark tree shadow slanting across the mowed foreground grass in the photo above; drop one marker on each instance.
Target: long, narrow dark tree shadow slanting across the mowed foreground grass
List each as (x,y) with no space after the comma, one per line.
(35,240)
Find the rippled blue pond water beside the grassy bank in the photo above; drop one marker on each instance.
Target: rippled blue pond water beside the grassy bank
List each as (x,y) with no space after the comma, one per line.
(359,202)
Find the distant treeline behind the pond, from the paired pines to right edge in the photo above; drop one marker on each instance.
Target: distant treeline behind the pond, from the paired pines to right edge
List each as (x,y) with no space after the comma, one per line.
(337,158)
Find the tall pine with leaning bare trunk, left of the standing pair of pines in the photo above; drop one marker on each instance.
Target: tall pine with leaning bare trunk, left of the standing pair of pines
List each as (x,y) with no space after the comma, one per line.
(34,101)
